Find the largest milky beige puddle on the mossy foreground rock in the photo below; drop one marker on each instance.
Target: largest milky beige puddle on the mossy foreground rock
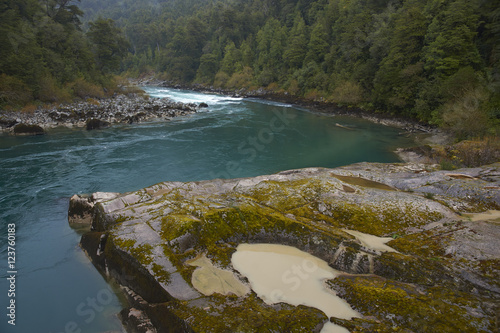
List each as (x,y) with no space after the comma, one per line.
(279,273)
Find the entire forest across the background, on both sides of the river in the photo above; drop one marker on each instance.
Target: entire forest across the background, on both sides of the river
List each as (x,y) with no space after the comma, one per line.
(436,61)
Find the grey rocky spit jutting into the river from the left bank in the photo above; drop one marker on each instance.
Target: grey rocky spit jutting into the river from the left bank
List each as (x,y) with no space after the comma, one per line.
(96,113)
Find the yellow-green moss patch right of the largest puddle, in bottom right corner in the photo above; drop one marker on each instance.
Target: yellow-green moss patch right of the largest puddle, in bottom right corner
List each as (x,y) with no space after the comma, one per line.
(434,309)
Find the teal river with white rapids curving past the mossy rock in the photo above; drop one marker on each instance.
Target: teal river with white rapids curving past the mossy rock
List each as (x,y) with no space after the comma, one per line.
(56,287)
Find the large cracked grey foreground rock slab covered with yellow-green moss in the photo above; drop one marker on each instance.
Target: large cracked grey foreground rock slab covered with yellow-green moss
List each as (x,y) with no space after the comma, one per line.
(441,277)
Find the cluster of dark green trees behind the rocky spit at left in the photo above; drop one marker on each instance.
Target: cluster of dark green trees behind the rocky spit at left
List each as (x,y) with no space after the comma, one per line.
(46,56)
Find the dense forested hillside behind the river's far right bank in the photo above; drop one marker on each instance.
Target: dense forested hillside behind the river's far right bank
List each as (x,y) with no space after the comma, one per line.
(434,61)
